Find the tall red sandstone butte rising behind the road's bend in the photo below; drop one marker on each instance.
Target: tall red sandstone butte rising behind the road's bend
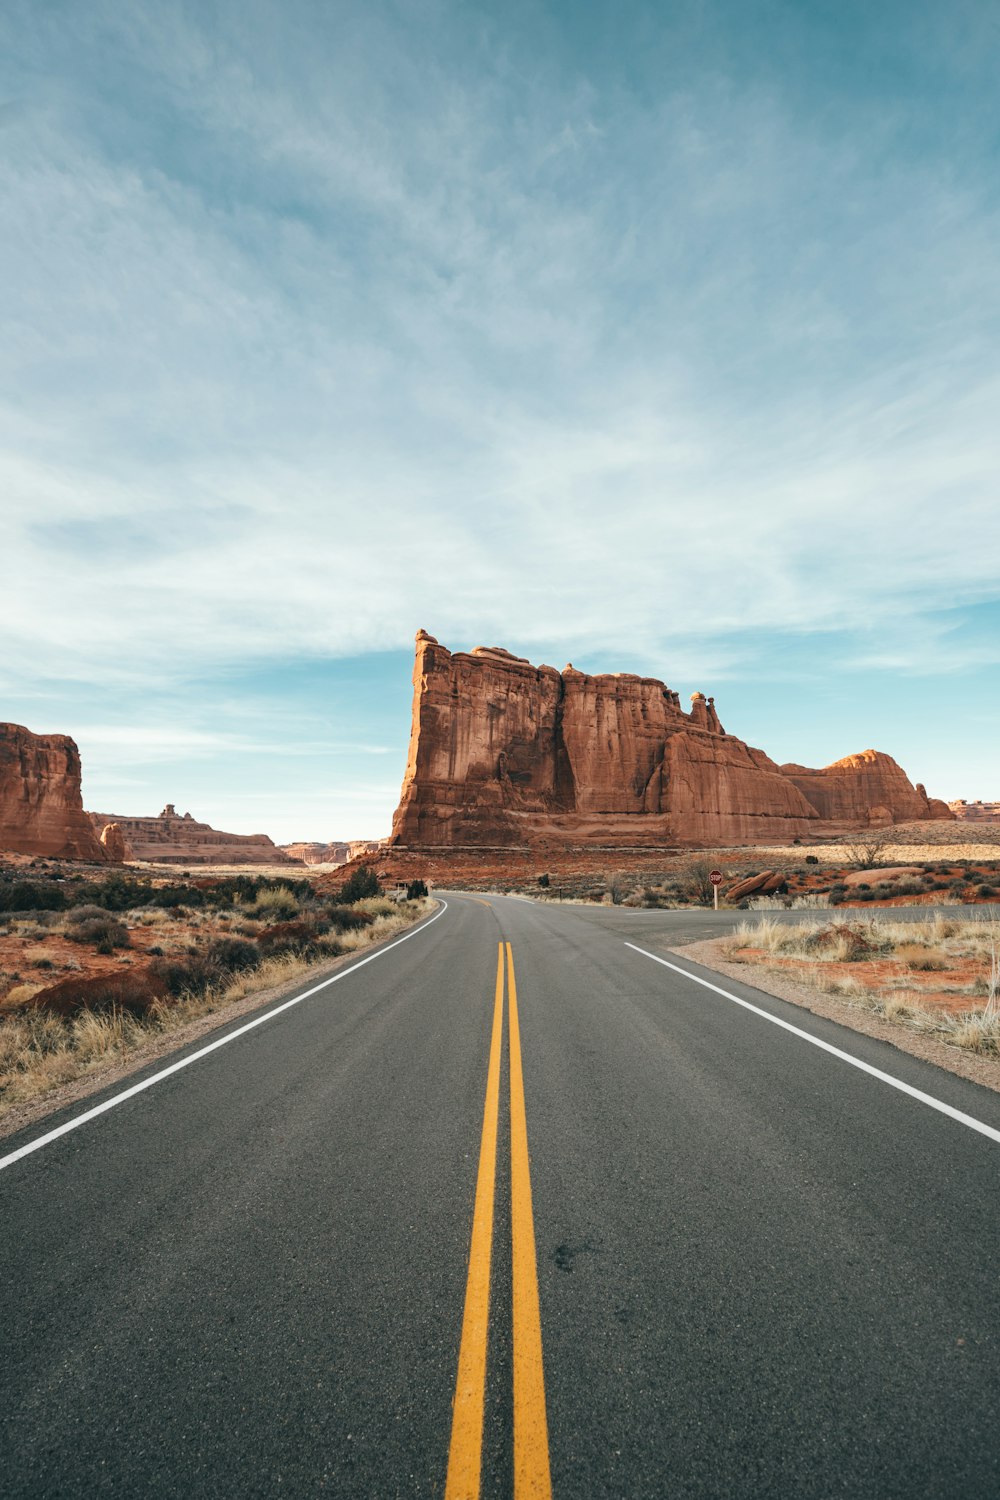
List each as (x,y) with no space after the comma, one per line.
(504,754)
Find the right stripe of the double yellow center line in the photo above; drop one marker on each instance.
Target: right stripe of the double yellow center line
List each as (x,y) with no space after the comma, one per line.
(531,1429)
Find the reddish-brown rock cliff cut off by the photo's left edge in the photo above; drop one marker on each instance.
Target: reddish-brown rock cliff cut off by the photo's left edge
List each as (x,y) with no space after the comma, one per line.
(41,803)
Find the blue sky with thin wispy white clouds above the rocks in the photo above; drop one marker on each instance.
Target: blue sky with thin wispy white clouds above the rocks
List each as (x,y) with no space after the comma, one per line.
(656,338)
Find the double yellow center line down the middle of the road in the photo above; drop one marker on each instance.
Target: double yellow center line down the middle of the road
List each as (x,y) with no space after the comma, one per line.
(531,1429)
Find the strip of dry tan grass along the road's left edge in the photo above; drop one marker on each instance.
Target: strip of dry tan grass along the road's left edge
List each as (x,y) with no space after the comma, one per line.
(40,1052)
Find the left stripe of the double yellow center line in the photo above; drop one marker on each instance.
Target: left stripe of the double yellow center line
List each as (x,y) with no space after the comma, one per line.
(466,1454)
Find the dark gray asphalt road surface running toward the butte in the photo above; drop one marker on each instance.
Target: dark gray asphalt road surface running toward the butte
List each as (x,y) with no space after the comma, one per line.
(761,1270)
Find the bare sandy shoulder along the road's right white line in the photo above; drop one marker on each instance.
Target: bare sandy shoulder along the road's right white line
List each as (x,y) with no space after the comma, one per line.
(956,1060)
